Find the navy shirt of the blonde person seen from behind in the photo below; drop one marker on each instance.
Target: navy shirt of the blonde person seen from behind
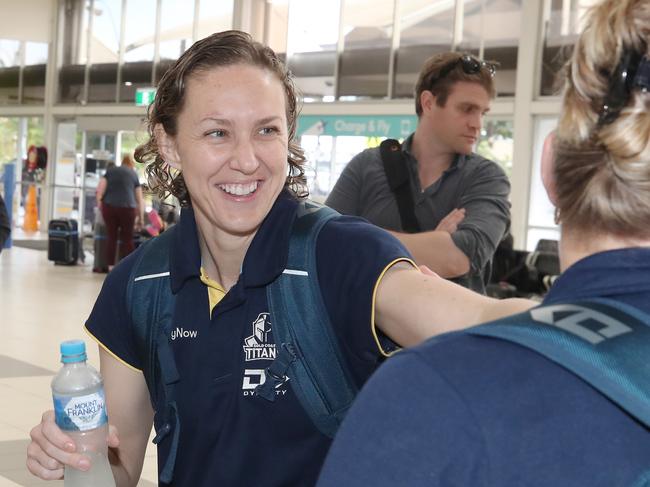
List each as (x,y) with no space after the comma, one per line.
(475,411)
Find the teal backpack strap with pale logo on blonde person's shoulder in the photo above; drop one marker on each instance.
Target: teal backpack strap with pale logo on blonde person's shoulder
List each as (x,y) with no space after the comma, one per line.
(606,343)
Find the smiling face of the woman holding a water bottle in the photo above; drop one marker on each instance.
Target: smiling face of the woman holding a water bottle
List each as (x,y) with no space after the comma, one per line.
(232,146)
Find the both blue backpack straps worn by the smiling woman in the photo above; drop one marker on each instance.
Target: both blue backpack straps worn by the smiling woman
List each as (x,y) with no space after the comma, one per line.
(307,347)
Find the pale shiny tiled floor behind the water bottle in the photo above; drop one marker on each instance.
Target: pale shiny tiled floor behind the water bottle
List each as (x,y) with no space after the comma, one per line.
(40,305)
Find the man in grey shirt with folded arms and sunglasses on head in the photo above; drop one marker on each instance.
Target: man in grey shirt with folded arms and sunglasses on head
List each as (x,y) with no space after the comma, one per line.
(460,198)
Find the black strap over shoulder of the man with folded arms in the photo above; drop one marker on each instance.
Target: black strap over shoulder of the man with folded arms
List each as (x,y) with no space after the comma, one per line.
(399,183)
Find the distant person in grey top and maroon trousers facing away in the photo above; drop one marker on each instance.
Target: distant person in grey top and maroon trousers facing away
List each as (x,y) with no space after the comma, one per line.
(119,197)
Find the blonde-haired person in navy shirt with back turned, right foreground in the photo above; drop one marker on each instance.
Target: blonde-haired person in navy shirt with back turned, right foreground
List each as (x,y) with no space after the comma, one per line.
(467,410)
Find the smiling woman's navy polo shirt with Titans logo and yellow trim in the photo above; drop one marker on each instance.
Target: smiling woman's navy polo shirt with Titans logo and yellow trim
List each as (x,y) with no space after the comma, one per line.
(228,436)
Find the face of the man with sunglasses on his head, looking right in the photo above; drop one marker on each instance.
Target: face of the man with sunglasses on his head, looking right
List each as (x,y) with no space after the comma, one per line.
(457,125)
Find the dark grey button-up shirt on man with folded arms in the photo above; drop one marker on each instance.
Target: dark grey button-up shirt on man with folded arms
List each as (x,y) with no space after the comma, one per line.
(471,182)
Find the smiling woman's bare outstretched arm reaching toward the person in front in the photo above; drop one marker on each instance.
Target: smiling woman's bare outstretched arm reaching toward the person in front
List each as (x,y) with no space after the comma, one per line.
(411,306)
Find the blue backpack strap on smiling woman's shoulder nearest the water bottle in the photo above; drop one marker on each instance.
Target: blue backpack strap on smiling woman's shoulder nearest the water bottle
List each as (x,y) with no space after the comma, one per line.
(151,304)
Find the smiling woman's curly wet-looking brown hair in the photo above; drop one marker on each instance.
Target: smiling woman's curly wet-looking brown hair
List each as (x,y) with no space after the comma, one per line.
(220,49)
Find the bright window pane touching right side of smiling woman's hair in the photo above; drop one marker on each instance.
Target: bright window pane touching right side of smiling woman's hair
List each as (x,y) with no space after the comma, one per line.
(311,46)
